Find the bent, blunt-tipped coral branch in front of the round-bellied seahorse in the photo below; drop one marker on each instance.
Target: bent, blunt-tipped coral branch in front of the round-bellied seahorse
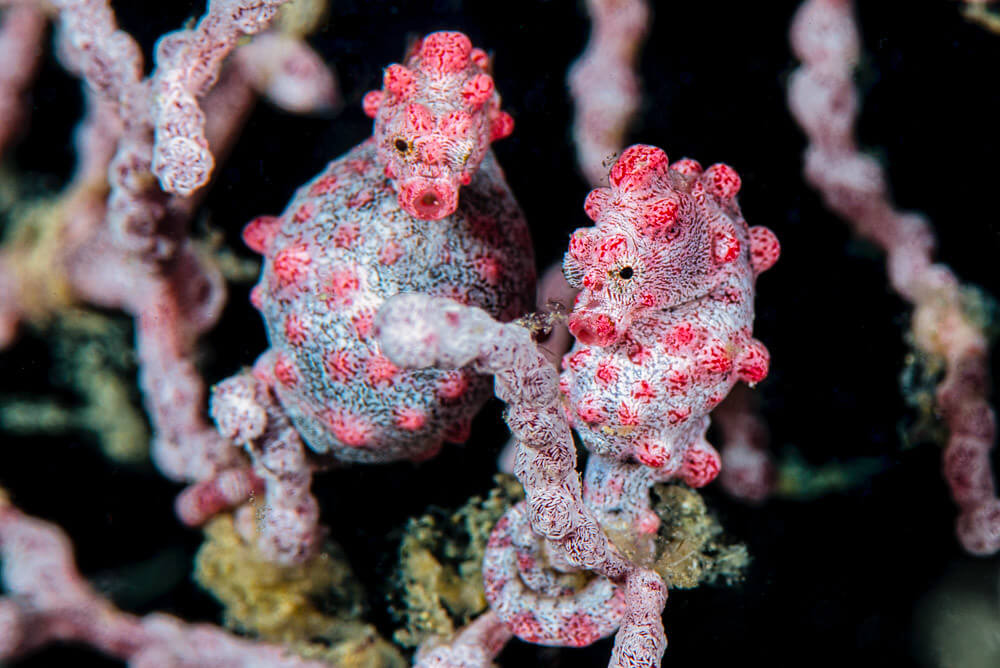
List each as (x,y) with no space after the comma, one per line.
(416,331)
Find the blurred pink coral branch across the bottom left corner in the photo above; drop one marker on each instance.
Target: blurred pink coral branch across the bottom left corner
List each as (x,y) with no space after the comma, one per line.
(48,601)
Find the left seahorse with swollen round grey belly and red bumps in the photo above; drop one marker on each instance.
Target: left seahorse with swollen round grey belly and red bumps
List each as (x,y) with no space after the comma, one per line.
(382,219)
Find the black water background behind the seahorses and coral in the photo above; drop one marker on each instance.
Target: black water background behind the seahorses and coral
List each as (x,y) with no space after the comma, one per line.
(833,580)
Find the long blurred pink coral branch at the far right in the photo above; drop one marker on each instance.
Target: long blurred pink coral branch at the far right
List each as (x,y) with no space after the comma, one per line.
(824,101)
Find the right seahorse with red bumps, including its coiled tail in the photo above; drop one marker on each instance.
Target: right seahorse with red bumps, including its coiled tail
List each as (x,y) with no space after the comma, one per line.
(663,326)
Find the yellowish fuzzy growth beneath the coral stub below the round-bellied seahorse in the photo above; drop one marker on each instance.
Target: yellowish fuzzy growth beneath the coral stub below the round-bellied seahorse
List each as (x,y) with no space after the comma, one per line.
(291,605)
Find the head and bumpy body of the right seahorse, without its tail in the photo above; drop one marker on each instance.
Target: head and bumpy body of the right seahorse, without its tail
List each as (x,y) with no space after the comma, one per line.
(663,321)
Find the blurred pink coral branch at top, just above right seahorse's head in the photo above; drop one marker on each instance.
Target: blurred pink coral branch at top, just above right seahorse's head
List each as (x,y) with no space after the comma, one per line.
(603,82)
